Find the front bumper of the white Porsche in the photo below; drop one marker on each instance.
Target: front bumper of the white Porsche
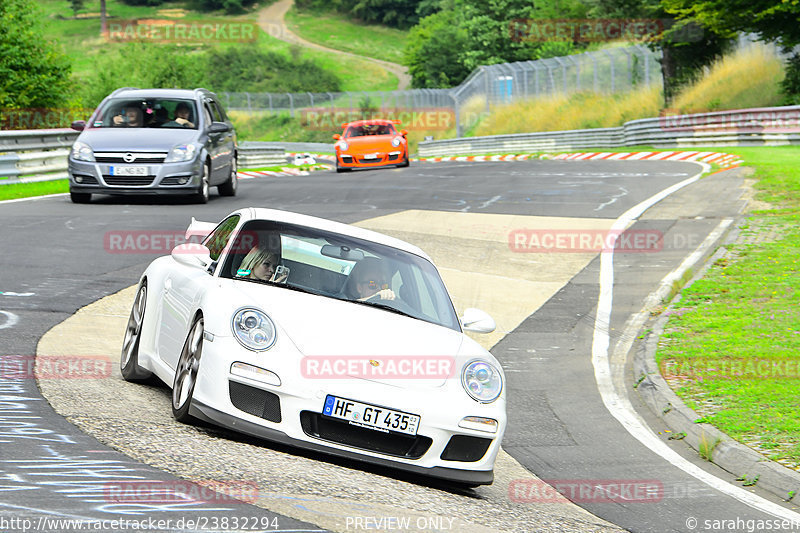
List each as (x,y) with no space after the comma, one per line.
(300,401)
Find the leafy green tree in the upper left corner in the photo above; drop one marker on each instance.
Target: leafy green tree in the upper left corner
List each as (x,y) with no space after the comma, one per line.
(33,71)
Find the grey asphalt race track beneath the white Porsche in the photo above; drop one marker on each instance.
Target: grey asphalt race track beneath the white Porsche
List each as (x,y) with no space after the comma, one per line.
(568,421)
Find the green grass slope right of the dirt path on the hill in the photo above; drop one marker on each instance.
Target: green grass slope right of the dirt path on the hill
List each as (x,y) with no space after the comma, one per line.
(336,31)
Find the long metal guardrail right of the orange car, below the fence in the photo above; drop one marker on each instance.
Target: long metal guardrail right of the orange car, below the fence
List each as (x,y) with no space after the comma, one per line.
(745,127)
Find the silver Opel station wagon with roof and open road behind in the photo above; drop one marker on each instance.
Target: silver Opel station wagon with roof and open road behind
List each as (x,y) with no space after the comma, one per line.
(154,141)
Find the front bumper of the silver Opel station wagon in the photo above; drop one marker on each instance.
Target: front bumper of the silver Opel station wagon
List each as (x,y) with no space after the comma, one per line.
(161,178)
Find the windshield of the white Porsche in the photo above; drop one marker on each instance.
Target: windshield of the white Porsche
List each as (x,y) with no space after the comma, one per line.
(341,267)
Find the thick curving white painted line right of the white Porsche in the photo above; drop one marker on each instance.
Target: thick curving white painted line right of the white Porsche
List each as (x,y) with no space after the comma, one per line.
(617,402)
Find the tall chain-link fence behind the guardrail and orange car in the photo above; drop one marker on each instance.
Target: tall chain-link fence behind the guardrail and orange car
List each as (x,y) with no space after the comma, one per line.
(610,70)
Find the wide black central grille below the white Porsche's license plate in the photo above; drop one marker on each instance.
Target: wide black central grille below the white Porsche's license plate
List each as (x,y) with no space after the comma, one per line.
(341,432)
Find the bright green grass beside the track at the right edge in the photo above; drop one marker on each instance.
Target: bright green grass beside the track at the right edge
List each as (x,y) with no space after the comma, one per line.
(736,336)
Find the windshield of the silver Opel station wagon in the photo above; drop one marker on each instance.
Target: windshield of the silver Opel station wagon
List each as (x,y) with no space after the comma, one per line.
(147,113)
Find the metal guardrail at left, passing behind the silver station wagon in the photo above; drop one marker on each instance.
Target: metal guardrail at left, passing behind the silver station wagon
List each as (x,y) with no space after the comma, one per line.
(28,156)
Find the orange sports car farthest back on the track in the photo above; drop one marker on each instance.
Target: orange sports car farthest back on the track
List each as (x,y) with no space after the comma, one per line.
(371,143)
